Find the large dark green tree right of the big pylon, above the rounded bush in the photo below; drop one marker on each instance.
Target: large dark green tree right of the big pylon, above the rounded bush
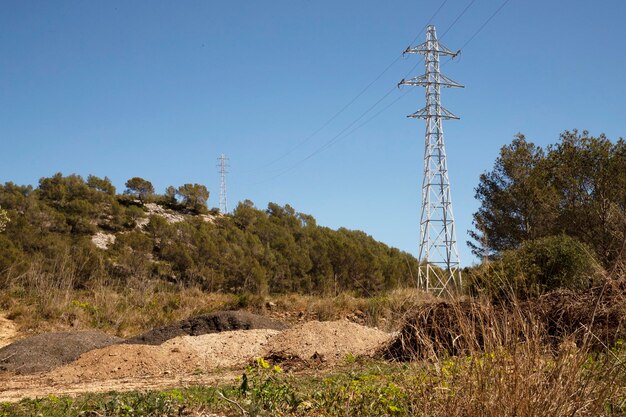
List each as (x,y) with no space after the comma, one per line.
(577,187)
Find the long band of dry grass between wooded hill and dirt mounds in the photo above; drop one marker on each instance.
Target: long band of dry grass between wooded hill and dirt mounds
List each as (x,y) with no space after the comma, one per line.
(44,298)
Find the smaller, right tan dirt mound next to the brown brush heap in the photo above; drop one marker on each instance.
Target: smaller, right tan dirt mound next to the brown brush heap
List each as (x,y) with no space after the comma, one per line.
(327,342)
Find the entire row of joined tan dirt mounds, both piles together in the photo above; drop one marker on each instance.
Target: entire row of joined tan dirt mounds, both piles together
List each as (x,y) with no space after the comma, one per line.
(327,342)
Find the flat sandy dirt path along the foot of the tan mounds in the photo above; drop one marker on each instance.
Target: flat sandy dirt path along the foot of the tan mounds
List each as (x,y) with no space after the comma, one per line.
(15,388)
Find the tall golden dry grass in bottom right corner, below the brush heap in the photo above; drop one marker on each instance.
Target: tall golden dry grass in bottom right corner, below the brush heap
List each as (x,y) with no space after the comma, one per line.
(521,381)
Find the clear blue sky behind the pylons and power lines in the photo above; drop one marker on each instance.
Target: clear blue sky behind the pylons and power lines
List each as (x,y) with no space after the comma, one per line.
(159,89)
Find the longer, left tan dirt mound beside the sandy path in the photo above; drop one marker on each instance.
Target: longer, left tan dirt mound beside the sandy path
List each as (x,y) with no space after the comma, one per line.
(178,356)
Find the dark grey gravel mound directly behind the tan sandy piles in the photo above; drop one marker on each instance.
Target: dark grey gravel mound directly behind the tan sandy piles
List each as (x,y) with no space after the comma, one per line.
(215,322)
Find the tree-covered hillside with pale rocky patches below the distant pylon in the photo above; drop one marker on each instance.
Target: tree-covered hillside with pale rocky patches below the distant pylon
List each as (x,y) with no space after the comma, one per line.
(77,232)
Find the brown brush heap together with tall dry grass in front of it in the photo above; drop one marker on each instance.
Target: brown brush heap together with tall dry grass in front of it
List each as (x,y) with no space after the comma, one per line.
(557,355)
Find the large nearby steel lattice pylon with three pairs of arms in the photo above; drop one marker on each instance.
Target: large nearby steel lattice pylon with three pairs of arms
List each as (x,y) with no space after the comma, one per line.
(439,270)
